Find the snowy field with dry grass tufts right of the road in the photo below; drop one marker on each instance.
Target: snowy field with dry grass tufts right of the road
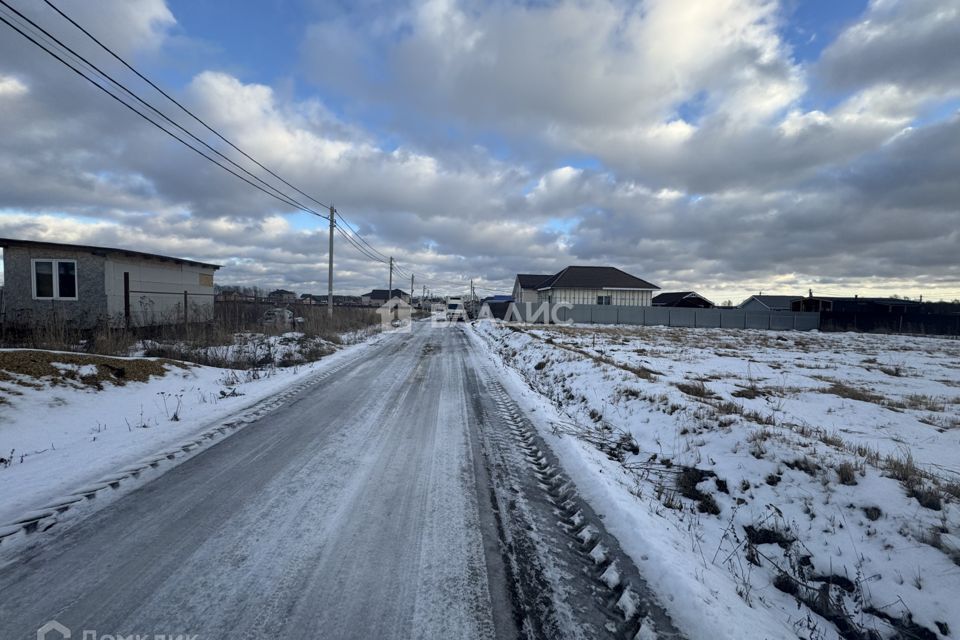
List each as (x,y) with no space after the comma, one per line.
(768,484)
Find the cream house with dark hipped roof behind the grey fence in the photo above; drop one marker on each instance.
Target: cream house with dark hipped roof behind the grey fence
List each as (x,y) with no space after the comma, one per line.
(596,285)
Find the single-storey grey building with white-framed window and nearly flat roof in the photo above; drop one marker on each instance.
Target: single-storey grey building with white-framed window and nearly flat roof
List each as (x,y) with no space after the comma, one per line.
(84,286)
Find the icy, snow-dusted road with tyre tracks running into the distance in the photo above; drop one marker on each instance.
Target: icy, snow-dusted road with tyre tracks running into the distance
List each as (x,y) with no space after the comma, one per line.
(370,506)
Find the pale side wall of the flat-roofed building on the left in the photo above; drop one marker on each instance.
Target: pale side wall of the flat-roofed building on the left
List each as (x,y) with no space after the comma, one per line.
(156,291)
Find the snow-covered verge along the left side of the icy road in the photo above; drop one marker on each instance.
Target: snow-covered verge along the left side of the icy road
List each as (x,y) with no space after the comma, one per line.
(68,419)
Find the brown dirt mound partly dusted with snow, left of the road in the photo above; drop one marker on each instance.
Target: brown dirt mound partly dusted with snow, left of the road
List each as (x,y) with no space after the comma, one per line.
(79,369)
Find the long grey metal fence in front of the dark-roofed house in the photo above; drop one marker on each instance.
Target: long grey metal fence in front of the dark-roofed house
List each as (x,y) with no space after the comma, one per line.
(667,316)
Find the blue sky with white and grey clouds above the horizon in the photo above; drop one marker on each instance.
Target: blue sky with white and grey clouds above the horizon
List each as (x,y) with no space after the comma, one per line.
(723,146)
